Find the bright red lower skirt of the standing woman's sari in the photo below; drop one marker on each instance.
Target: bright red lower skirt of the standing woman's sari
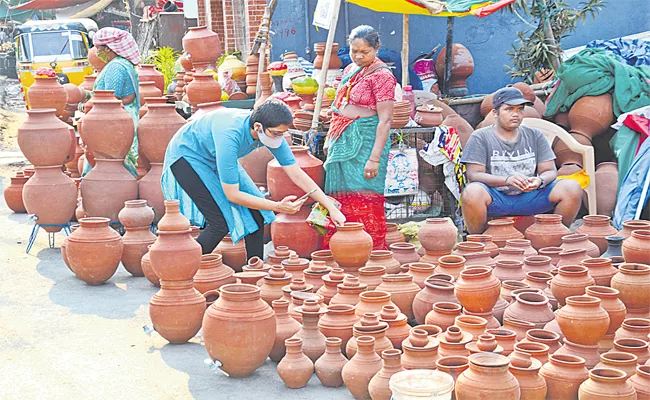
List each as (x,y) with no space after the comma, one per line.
(367,208)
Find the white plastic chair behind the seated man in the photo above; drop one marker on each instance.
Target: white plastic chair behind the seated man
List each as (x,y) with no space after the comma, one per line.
(552,131)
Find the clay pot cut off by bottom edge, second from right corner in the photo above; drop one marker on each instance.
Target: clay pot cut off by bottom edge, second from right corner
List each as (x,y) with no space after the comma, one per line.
(605,383)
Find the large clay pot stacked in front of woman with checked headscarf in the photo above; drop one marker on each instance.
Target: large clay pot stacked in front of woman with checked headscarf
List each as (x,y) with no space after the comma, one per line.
(108,130)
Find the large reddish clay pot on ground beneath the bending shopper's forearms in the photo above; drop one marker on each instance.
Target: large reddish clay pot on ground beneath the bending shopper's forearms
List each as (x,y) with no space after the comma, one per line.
(292,230)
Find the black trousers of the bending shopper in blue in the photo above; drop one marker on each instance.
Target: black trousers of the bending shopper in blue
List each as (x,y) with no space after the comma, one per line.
(216,227)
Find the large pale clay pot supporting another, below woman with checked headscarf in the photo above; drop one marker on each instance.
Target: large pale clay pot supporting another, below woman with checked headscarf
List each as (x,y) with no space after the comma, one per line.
(106,187)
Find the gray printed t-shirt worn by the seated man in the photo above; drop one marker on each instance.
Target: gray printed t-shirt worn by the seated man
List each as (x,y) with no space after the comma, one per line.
(503,158)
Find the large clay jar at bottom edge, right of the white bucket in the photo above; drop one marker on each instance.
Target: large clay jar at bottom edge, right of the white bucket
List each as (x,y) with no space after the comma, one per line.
(487,377)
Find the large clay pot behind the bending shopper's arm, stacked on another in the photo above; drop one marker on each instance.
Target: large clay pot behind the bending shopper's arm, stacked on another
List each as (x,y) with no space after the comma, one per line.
(279,183)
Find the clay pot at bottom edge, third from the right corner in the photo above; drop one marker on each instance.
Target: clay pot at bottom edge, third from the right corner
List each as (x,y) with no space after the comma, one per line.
(563,375)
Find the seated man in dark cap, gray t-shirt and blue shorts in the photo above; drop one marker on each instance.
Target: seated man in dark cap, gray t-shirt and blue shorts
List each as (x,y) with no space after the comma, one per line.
(511,170)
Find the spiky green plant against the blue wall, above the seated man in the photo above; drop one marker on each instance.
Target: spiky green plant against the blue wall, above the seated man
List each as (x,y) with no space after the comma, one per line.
(541,48)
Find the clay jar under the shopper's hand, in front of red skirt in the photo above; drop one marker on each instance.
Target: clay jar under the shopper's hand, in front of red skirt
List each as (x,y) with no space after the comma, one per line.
(351,246)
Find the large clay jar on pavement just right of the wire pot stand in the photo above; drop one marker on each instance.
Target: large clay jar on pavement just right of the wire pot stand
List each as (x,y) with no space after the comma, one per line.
(94,250)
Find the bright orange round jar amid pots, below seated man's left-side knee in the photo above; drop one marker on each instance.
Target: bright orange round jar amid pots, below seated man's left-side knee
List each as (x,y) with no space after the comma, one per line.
(477,289)
